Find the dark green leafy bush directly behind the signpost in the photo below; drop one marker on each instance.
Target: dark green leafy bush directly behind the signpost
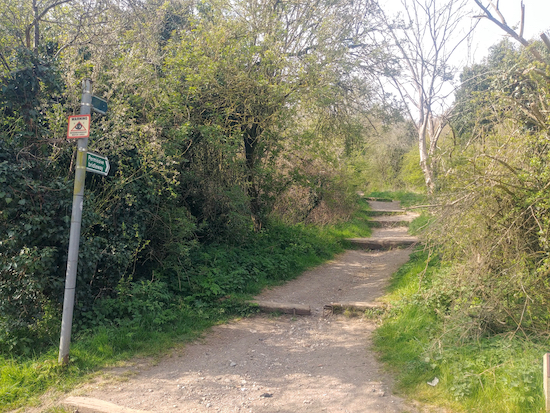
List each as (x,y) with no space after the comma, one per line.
(119,225)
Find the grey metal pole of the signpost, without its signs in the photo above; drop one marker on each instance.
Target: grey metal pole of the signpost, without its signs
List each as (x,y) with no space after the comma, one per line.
(74,237)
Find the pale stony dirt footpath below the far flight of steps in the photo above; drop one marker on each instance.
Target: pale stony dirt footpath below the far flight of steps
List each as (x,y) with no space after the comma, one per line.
(317,363)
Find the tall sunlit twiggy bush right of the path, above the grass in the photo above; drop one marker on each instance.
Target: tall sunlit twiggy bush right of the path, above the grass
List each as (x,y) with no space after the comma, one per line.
(495,218)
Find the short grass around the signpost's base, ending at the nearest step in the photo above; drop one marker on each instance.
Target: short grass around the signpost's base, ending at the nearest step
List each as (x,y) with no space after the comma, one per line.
(23,380)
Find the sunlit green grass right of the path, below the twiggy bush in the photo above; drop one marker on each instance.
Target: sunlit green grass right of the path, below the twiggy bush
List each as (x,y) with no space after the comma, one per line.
(489,375)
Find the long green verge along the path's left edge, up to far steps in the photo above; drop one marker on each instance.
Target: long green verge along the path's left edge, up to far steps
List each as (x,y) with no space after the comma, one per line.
(267,258)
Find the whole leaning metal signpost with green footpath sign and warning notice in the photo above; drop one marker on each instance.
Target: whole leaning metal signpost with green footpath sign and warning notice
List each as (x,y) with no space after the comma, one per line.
(79,128)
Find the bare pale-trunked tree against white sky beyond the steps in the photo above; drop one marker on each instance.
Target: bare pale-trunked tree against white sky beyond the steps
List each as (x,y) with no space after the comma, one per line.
(426,36)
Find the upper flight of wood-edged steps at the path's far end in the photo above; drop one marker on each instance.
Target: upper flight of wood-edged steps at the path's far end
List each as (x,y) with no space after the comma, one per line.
(392,232)
